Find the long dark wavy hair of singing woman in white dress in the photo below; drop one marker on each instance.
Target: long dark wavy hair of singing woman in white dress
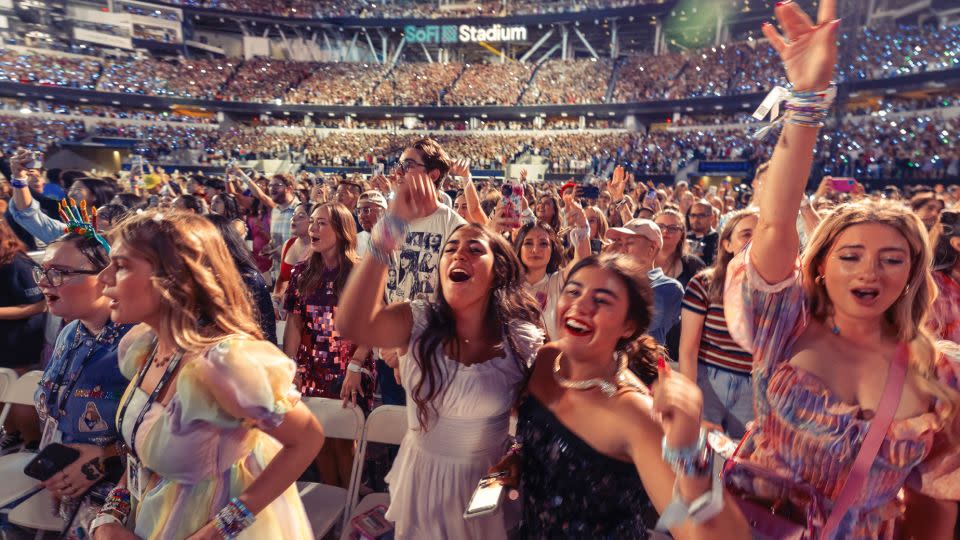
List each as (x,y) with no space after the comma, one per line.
(509,304)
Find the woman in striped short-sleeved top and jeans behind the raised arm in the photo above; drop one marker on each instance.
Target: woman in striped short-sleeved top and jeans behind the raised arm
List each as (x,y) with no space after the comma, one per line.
(708,354)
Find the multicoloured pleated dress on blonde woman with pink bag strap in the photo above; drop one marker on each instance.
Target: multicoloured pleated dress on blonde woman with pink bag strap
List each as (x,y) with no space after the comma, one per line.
(806,432)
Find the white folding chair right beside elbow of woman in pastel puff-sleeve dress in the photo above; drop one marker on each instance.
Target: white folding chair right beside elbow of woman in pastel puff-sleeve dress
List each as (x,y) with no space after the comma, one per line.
(326,505)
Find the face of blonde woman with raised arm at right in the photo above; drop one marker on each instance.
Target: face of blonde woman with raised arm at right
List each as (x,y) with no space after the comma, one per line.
(866,270)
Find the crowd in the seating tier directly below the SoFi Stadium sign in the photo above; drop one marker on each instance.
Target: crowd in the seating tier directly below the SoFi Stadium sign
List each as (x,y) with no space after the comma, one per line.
(729,69)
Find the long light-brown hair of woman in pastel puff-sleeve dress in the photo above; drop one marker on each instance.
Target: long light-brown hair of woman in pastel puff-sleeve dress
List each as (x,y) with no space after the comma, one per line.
(202,296)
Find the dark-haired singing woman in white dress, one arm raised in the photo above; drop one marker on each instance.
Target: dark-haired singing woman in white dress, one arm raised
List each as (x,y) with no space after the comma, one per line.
(461,376)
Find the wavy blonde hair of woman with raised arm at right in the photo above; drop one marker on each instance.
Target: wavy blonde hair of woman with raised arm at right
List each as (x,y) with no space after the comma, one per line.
(908,315)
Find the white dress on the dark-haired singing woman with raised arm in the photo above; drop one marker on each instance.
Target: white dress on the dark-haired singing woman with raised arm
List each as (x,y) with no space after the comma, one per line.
(437,470)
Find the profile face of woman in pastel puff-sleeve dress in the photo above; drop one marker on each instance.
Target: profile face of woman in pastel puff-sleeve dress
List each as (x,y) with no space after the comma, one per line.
(129,284)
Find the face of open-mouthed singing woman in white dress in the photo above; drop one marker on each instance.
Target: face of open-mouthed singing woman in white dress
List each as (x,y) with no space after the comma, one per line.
(466,269)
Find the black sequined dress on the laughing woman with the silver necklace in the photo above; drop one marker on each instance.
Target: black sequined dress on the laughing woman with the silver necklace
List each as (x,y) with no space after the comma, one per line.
(570,490)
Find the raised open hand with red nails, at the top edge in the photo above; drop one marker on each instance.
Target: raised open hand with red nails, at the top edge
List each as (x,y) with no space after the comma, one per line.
(808,50)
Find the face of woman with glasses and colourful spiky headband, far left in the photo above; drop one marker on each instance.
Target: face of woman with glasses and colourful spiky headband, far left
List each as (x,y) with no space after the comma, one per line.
(74,298)
